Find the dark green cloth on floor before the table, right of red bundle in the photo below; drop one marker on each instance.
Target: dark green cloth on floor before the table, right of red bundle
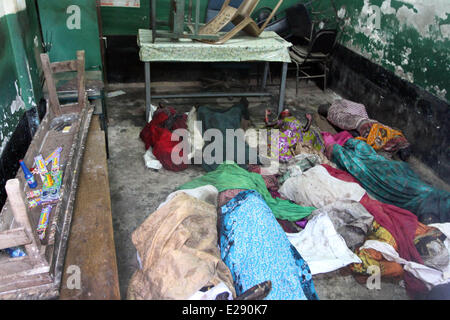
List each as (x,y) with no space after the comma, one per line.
(223,119)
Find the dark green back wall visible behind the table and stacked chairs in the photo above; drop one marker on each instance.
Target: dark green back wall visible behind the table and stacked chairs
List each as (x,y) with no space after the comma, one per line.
(126,21)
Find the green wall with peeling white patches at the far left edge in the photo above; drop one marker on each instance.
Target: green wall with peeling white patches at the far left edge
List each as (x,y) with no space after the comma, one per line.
(20,73)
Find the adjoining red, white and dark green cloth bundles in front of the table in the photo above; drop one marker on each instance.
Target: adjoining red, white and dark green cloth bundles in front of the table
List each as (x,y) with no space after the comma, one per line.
(202,126)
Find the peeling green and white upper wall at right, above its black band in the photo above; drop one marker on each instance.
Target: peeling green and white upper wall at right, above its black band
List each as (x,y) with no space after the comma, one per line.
(411,38)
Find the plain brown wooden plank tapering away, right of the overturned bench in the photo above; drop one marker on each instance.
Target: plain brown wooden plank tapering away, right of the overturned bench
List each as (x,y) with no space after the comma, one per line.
(92,223)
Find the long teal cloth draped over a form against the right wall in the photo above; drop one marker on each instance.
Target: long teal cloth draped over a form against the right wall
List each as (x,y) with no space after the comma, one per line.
(392,182)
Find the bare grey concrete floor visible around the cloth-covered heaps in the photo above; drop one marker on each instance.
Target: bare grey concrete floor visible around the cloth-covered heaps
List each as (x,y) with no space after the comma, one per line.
(137,191)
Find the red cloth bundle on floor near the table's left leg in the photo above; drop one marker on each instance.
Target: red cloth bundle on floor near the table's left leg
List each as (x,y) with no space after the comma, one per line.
(157,136)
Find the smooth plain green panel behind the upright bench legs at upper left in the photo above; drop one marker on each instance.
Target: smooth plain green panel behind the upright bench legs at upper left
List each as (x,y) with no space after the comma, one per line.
(71,25)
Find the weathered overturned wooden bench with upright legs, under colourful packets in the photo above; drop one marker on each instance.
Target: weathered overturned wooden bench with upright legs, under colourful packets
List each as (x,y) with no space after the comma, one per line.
(38,274)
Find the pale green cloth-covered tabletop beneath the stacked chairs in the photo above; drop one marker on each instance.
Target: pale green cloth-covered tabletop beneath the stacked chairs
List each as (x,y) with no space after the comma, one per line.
(269,46)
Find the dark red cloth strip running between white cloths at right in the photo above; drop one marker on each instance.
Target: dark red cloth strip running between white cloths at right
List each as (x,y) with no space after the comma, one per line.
(401,224)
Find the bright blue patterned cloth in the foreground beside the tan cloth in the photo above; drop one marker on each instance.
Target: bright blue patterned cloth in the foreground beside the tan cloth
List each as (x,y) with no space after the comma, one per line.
(255,248)
